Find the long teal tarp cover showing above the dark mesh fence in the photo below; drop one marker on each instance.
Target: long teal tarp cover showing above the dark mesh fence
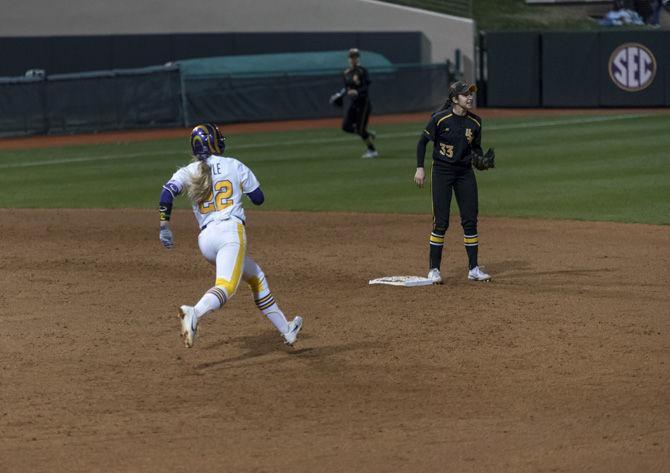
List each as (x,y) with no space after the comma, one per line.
(282,63)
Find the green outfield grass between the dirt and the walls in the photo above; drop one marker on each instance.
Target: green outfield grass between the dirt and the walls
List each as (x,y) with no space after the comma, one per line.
(609,167)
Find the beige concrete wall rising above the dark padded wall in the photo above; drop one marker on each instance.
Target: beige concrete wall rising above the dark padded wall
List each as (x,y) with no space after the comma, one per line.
(43,18)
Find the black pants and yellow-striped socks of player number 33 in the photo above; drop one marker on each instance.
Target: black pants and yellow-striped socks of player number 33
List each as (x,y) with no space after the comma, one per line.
(461,181)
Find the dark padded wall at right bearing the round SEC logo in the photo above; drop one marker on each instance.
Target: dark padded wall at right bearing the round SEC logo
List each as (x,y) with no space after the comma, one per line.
(579,69)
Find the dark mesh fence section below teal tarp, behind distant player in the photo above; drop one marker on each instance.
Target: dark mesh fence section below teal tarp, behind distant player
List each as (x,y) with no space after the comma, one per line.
(230,99)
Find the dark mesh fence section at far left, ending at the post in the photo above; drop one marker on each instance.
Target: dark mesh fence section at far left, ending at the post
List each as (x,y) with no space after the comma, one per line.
(120,99)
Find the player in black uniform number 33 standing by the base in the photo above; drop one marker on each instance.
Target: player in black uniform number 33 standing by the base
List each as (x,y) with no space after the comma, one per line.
(455,133)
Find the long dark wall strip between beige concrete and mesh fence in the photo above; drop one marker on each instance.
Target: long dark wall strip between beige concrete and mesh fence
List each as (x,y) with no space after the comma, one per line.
(72,54)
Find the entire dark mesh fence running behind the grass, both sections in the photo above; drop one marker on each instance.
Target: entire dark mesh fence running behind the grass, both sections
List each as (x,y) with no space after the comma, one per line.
(161,97)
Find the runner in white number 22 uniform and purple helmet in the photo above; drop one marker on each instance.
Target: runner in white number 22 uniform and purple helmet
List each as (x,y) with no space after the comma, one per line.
(216,185)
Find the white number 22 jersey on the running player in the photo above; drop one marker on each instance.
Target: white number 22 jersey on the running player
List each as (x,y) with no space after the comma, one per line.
(231,179)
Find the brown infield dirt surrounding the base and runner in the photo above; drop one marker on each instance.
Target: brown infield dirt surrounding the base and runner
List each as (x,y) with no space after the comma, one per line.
(559,364)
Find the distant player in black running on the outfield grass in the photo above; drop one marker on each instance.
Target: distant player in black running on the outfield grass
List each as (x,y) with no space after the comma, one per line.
(357,86)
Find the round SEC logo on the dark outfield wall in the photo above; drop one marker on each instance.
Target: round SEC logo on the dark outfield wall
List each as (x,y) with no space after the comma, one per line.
(632,67)
